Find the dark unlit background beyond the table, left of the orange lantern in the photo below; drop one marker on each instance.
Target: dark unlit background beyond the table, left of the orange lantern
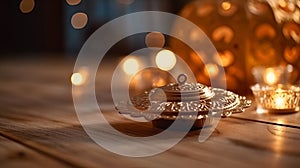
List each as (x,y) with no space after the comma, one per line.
(48,29)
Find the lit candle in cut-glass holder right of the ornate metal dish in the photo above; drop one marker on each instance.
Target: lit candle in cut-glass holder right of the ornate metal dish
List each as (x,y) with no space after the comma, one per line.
(272,91)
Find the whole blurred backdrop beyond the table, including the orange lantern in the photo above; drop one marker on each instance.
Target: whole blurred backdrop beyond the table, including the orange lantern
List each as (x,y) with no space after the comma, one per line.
(246,33)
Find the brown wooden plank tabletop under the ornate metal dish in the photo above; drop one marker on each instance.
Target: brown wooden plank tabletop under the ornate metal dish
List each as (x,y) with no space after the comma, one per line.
(39,128)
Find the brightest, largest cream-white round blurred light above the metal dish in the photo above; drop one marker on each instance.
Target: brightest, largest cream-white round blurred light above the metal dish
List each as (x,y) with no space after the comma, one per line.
(165,60)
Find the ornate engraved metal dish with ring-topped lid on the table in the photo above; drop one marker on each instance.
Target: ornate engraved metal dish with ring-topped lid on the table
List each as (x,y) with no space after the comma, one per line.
(212,101)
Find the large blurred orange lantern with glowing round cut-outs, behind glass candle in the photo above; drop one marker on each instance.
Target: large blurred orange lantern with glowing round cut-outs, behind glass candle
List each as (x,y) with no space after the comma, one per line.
(246,34)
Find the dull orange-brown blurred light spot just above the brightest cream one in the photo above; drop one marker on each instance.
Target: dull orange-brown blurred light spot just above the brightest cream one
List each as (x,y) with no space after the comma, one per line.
(155,39)
